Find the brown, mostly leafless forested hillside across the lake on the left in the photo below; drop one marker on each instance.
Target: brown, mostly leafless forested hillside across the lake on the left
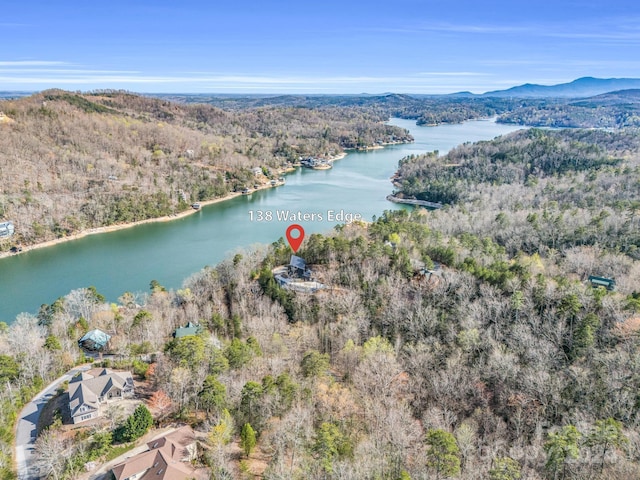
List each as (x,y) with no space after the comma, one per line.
(70,161)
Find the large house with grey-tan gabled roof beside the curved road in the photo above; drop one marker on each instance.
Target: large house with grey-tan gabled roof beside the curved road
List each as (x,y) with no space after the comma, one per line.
(90,390)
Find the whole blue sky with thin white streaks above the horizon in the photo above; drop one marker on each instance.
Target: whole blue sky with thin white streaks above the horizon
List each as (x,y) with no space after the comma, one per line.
(244,46)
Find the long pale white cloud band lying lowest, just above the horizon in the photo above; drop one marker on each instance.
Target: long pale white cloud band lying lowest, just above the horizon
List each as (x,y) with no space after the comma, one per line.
(435,82)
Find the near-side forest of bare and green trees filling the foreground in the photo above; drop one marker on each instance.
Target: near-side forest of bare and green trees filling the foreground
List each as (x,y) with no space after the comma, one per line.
(460,343)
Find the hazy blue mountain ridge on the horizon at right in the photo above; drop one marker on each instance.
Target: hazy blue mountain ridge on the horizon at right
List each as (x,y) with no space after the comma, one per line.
(580,88)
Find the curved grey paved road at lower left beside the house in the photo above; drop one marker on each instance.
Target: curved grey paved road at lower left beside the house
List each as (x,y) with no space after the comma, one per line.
(27,425)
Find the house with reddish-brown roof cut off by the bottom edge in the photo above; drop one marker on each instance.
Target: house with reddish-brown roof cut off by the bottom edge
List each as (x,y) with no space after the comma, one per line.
(168,458)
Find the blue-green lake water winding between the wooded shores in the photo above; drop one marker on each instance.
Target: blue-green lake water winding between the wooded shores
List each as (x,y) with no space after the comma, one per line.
(127,260)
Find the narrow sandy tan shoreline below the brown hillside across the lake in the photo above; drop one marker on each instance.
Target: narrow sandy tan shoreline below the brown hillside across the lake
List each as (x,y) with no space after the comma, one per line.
(166,218)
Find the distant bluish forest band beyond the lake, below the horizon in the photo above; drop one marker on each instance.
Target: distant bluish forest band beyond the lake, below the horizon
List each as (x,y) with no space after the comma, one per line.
(616,109)
